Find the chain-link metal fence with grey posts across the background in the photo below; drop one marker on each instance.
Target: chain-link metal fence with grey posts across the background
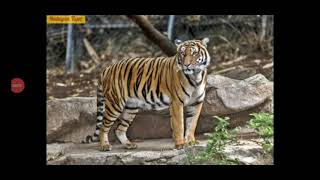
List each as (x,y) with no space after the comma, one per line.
(115,36)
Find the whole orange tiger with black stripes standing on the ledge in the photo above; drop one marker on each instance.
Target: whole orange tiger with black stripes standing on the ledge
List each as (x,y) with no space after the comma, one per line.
(155,83)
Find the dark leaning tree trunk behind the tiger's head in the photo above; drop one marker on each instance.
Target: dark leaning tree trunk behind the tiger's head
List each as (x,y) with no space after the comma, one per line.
(154,35)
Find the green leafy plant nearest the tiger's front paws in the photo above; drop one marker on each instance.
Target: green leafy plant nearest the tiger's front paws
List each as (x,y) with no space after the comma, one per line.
(216,144)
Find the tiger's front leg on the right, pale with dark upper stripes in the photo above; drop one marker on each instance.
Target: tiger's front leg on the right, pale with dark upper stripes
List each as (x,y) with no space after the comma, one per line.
(192,117)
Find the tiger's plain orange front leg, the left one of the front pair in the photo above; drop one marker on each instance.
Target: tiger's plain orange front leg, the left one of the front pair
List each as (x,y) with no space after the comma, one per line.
(177,124)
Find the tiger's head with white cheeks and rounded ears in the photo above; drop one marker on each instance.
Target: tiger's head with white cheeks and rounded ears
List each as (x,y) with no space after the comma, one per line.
(192,55)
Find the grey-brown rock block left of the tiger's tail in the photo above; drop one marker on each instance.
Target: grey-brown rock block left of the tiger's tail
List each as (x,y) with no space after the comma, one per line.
(70,119)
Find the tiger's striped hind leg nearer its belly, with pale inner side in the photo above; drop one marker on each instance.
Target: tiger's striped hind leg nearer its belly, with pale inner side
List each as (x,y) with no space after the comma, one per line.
(126,119)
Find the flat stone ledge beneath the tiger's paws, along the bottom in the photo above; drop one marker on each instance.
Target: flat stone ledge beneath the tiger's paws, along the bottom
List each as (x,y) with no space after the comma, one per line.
(150,152)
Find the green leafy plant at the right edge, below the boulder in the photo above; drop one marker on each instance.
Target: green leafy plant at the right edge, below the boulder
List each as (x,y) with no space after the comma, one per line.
(263,124)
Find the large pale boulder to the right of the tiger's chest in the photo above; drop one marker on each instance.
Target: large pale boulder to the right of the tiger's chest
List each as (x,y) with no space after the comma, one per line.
(228,96)
